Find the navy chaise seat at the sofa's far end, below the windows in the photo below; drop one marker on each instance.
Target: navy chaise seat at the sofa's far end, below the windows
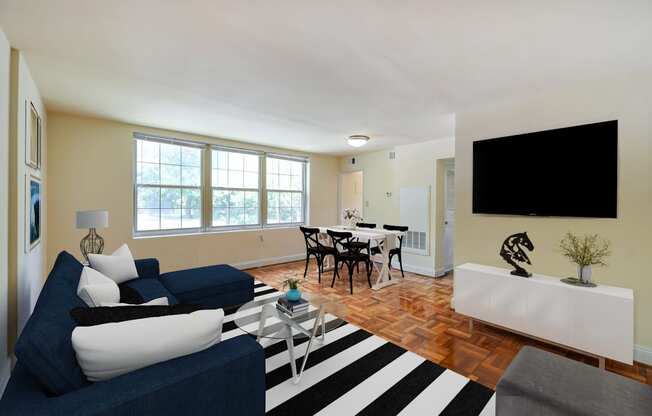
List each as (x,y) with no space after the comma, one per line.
(195,285)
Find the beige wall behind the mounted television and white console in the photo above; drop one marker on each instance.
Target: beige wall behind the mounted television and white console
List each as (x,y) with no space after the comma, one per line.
(478,237)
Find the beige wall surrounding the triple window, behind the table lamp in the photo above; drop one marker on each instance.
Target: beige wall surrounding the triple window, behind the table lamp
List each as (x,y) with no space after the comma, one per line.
(90,163)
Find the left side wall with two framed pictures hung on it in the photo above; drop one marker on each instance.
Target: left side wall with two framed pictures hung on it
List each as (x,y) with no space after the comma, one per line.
(26,267)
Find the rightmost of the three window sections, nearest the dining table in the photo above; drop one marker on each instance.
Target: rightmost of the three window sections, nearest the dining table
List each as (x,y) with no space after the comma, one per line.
(285,190)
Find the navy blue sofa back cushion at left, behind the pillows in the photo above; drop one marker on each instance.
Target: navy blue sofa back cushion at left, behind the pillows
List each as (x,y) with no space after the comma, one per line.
(44,347)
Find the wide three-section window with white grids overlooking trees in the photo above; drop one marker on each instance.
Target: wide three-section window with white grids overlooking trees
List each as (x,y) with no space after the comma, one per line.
(185,187)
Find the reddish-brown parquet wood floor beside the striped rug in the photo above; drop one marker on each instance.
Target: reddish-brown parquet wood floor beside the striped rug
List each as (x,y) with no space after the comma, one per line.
(416,315)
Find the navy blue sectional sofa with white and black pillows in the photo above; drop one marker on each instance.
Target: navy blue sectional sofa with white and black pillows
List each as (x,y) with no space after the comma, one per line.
(226,379)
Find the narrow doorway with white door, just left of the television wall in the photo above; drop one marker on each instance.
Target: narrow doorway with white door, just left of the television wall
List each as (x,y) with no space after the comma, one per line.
(445,217)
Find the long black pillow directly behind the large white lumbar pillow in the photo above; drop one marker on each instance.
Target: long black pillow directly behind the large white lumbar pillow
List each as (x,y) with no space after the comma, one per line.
(106,314)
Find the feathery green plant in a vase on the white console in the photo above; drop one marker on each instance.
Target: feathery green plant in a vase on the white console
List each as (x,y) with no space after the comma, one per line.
(587,251)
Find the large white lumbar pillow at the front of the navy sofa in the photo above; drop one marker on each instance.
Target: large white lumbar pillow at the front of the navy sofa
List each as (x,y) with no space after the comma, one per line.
(110,350)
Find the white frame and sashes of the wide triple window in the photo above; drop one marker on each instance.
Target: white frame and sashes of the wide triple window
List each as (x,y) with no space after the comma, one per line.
(207,189)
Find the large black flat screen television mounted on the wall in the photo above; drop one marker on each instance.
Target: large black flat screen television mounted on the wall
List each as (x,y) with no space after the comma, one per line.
(567,172)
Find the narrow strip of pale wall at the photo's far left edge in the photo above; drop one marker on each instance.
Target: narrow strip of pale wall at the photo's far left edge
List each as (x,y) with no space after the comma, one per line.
(5,65)
